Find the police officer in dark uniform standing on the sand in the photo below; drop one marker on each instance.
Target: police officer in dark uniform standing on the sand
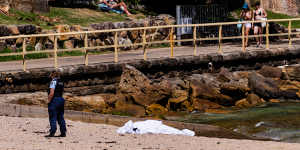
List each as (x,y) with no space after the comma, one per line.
(56,105)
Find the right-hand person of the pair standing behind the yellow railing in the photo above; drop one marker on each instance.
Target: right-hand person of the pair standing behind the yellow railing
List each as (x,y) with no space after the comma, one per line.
(259,14)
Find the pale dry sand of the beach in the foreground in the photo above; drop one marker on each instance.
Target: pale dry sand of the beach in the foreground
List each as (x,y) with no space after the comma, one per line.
(28,134)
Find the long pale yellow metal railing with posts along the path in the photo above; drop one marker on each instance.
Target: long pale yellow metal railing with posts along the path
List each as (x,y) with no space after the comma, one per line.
(172,28)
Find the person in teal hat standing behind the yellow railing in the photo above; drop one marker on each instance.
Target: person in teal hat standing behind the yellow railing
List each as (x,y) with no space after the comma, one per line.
(246,15)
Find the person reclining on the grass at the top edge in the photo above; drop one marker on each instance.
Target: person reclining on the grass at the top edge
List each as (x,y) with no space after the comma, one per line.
(115,4)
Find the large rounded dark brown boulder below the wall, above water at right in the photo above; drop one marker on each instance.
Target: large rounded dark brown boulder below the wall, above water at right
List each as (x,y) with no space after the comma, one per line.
(264,87)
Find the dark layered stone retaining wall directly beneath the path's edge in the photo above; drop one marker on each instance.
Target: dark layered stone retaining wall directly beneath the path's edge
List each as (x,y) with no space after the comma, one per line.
(104,78)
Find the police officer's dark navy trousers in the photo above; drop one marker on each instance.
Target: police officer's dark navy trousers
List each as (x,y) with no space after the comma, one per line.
(56,113)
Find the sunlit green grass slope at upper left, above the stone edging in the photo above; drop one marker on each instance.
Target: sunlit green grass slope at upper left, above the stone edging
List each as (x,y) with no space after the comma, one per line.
(70,16)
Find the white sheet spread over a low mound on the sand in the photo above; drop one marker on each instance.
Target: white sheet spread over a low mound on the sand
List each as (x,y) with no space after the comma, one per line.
(152,127)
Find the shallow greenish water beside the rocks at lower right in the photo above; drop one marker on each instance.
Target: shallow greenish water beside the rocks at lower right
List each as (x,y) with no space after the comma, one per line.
(276,121)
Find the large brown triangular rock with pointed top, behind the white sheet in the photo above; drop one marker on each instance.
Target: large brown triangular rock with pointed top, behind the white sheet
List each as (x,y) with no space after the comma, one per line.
(136,84)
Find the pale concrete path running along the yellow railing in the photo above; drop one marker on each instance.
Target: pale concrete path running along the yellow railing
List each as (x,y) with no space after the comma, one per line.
(125,56)
